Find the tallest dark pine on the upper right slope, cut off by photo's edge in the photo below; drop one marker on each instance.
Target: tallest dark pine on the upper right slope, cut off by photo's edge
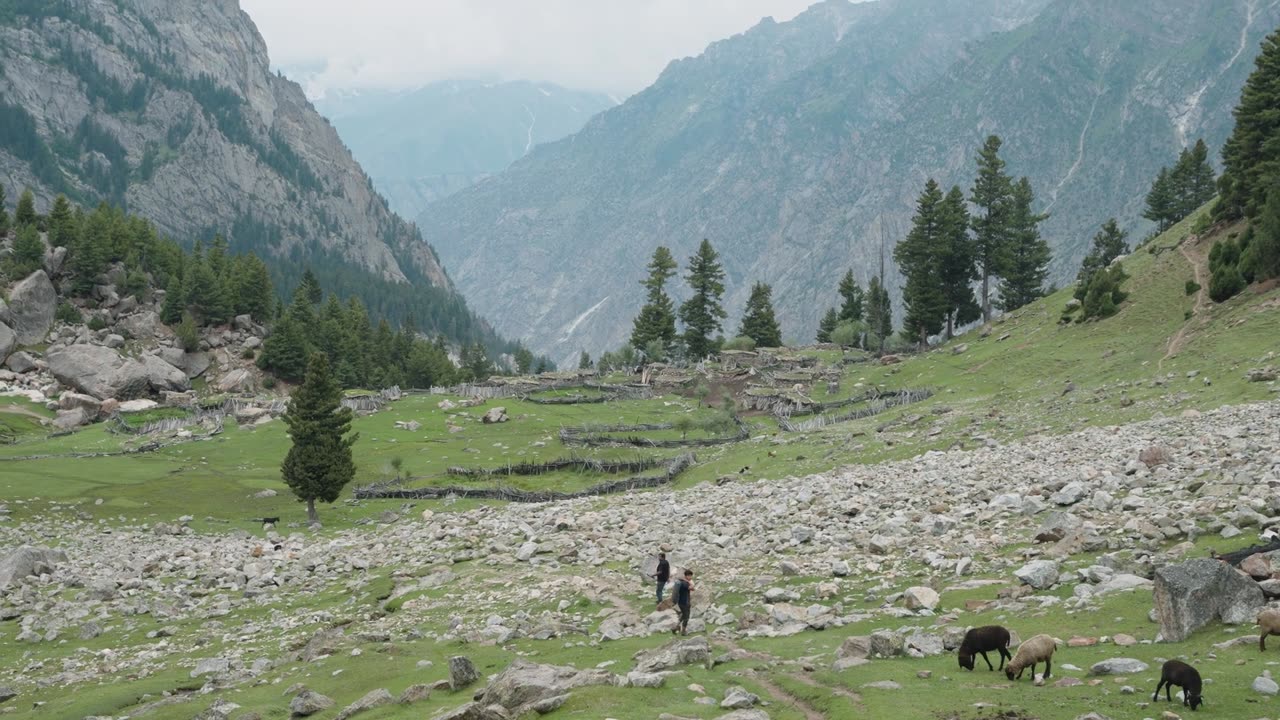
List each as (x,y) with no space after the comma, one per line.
(1251,158)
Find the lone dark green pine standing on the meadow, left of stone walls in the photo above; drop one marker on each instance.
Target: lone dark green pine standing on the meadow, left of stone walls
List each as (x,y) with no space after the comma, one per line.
(319,463)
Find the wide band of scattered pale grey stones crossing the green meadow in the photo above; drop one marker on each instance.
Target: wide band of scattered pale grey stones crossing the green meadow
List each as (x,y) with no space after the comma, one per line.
(1100,511)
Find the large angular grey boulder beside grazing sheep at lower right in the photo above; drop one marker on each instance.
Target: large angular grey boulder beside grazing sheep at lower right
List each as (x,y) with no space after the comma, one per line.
(1195,594)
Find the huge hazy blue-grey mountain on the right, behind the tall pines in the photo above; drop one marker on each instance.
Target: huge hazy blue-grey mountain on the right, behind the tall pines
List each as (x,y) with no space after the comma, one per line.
(798,149)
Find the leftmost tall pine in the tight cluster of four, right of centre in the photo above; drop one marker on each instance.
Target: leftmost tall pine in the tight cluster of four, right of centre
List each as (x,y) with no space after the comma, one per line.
(920,259)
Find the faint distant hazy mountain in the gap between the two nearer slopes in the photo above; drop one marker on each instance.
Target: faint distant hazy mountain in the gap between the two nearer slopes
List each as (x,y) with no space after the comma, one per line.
(426,144)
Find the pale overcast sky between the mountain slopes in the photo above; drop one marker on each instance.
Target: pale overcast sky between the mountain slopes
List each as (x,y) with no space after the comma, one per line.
(615,47)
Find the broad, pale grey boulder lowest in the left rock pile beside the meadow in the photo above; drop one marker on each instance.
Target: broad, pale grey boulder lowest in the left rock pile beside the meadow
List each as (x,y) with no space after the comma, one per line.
(104,373)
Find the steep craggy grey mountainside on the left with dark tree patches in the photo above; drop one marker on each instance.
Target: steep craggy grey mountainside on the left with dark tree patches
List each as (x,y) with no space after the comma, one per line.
(170,108)
